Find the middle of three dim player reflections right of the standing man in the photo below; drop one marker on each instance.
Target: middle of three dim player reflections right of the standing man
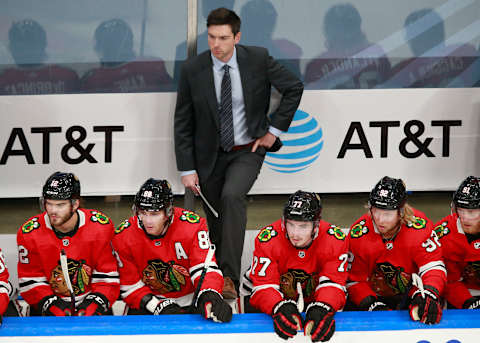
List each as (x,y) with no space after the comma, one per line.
(350,60)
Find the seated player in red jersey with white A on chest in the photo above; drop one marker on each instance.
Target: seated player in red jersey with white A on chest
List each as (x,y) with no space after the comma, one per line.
(162,253)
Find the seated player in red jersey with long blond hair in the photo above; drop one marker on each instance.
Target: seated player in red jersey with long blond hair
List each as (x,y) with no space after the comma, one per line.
(393,246)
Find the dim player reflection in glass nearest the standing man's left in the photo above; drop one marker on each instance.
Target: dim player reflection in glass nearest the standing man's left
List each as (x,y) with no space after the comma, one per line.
(120,70)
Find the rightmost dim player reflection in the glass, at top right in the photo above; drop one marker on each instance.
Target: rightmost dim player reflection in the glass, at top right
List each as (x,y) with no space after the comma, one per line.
(434,64)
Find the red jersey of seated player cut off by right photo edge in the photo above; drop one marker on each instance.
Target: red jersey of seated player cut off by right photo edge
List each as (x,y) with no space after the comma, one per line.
(462,260)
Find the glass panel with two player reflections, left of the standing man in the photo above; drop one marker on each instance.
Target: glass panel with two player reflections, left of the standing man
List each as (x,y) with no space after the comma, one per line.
(89,46)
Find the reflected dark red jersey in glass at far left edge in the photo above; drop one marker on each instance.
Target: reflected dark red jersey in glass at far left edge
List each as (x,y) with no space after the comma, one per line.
(45,79)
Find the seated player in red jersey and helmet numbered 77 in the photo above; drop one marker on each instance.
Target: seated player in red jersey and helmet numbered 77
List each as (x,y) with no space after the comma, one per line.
(298,260)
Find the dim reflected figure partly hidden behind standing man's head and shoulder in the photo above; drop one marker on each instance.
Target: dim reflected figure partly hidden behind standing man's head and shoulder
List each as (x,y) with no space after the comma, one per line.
(259,19)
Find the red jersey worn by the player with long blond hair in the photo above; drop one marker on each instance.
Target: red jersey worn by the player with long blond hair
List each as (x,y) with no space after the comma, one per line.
(384,269)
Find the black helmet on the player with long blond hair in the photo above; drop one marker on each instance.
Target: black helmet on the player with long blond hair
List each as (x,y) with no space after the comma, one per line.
(388,194)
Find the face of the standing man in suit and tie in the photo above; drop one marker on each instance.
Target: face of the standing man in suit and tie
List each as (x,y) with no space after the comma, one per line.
(221,41)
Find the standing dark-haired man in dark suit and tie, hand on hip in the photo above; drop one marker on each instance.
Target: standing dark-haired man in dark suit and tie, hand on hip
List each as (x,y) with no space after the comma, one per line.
(222,131)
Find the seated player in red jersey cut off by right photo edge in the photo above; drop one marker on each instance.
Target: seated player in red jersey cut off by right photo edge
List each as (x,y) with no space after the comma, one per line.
(459,235)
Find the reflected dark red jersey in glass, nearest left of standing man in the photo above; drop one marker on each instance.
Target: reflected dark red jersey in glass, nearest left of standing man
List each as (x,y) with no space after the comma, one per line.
(137,76)
